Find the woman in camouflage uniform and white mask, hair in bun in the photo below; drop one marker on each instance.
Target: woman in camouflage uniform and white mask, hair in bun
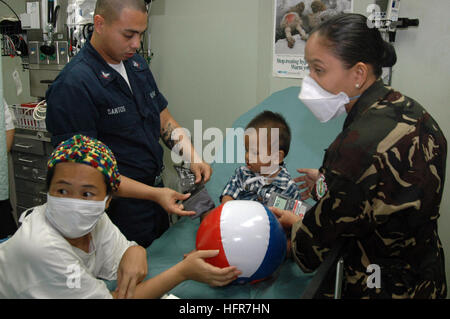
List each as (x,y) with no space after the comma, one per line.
(382,179)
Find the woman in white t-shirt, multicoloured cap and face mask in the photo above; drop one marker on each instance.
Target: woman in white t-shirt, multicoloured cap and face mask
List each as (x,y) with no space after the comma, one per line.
(63,247)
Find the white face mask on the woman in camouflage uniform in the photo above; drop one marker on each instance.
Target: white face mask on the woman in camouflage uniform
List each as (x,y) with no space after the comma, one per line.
(323,104)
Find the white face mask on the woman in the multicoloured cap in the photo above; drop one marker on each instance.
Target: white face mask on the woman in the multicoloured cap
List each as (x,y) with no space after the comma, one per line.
(74,218)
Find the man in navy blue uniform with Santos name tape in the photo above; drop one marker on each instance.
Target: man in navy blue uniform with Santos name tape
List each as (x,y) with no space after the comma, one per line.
(107,91)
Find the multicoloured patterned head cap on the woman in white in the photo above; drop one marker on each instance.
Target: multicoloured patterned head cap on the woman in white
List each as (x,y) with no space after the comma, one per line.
(89,151)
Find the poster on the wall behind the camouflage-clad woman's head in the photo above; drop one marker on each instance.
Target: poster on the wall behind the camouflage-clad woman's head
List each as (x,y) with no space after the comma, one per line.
(294,20)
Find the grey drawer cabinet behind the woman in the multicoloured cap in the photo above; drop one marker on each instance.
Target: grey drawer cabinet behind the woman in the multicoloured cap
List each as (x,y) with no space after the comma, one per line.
(30,153)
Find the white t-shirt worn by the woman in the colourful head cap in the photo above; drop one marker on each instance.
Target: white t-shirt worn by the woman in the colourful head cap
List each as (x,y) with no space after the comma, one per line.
(37,262)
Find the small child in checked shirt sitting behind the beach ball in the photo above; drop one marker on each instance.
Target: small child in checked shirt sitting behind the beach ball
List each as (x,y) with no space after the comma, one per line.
(262,176)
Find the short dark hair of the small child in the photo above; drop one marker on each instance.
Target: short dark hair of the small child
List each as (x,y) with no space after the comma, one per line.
(269,120)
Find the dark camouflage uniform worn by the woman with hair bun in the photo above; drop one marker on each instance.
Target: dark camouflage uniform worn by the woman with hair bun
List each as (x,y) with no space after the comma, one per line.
(385,177)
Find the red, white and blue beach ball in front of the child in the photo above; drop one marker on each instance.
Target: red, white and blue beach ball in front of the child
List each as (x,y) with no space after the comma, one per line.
(247,235)
